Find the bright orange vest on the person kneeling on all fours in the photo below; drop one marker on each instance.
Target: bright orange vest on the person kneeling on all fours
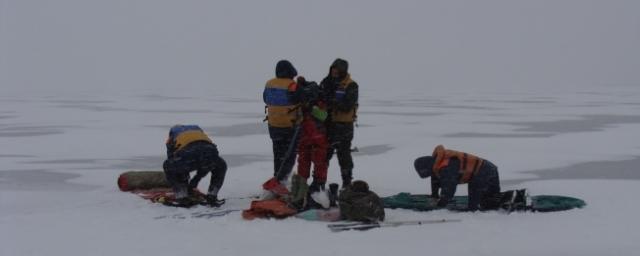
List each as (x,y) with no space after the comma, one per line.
(469,164)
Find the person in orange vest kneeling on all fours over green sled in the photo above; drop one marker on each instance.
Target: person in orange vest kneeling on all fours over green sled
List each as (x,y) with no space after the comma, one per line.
(448,168)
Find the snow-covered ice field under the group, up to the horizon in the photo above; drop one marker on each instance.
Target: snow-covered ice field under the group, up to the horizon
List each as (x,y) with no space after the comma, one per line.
(62,156)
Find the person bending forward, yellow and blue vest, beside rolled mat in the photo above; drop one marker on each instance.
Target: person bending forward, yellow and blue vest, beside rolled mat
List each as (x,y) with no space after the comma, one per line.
(190,149)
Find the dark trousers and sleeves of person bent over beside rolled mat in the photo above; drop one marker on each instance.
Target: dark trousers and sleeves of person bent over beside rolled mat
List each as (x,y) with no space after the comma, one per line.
(201,157)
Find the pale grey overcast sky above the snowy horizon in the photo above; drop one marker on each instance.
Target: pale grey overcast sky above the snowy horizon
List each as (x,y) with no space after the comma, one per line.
(232,46)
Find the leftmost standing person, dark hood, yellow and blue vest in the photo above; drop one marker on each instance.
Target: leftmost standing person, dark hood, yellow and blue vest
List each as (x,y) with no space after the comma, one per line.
(283,114)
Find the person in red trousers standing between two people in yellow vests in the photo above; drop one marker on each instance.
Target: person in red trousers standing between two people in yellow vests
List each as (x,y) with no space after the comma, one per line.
(313,143)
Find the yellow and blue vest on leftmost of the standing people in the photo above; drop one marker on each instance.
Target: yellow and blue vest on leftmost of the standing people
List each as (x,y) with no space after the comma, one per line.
(280,110)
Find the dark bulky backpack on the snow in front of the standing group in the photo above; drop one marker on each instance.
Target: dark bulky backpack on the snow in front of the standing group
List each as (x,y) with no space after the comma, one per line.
(358,203)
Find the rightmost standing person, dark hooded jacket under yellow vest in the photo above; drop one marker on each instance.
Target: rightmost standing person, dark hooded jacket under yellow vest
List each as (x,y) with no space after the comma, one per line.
(341,95)
